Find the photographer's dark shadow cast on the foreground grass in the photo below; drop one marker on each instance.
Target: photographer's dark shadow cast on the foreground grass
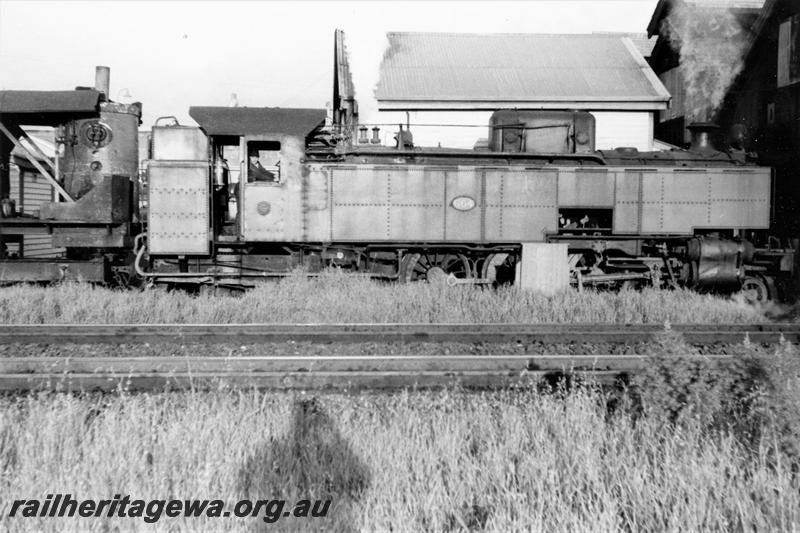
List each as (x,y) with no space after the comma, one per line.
(311,462)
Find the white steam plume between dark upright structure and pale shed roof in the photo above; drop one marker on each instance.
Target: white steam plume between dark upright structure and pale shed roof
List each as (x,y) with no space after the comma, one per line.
(365,51)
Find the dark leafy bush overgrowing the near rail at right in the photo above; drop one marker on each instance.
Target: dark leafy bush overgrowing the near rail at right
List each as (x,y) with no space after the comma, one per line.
(754,396)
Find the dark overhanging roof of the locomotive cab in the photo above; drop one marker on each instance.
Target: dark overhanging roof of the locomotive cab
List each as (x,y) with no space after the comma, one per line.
(257,120)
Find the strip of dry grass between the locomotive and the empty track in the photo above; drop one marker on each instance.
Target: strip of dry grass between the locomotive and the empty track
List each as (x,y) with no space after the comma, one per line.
(336,297)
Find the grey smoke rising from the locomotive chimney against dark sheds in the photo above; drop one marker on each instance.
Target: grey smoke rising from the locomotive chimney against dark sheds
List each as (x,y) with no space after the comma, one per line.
(711,43)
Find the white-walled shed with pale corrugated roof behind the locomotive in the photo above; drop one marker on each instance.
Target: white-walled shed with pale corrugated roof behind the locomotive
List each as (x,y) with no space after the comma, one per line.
(447,85)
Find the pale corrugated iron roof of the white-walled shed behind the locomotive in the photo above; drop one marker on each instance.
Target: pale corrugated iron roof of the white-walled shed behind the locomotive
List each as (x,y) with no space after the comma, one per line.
(529,69)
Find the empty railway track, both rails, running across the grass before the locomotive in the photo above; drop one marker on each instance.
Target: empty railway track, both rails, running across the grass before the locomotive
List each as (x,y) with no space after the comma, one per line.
(349,372)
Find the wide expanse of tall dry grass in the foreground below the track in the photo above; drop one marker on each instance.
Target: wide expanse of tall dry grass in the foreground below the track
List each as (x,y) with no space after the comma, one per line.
(448,461)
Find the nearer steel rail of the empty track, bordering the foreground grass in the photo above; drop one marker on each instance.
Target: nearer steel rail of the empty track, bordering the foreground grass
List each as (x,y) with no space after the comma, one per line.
(306,372)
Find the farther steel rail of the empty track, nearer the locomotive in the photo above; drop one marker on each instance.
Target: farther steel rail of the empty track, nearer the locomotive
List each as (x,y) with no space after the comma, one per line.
(327,333)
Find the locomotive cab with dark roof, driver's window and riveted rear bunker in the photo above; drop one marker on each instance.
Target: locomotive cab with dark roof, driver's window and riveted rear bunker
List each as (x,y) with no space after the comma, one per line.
(217,190)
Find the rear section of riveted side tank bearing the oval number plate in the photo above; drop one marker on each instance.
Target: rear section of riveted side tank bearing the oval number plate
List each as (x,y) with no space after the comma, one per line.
(406,203)
